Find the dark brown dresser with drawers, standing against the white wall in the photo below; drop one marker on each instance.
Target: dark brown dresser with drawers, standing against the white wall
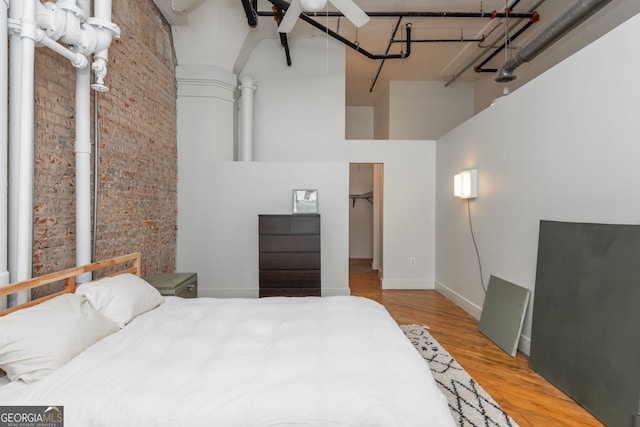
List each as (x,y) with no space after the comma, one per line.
(289,255)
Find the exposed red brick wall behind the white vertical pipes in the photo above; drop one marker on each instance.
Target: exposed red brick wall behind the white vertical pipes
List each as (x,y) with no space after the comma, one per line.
(137,190)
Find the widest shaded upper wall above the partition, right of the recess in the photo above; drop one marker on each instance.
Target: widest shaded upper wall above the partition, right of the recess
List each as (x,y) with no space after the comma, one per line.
(427,110)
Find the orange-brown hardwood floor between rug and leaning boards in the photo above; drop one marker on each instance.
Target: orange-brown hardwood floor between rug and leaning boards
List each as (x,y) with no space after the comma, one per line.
(523,394)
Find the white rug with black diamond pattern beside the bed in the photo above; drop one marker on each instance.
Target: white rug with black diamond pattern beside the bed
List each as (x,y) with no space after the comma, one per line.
(470,405)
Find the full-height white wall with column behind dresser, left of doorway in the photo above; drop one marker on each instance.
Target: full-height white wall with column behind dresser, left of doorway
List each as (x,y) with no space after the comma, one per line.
(299,142)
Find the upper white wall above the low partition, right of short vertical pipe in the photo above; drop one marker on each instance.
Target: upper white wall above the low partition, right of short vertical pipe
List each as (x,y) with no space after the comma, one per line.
(299,110)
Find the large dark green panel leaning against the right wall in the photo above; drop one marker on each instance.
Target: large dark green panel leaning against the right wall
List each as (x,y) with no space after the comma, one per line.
(586,316)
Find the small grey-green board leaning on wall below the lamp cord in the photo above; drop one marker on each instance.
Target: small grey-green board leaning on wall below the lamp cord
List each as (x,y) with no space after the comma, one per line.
(503,311)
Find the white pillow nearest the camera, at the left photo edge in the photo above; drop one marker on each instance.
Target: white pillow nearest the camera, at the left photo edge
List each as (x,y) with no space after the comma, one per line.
(36,340)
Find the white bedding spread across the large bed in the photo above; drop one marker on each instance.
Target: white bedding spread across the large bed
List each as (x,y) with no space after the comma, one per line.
(332,361)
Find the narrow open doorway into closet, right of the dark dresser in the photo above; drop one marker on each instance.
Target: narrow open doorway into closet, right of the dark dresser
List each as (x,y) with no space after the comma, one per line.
(365,225)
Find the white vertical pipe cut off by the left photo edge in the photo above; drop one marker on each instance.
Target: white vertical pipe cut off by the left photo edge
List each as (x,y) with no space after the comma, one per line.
(4,146)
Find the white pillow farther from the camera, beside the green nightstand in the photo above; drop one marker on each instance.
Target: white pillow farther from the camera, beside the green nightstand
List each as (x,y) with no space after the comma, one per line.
(121,298)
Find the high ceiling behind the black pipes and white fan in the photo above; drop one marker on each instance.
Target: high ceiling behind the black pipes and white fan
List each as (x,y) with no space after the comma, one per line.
(429,60)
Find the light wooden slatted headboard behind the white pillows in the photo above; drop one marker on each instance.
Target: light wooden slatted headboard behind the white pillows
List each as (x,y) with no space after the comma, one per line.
(126,264)
